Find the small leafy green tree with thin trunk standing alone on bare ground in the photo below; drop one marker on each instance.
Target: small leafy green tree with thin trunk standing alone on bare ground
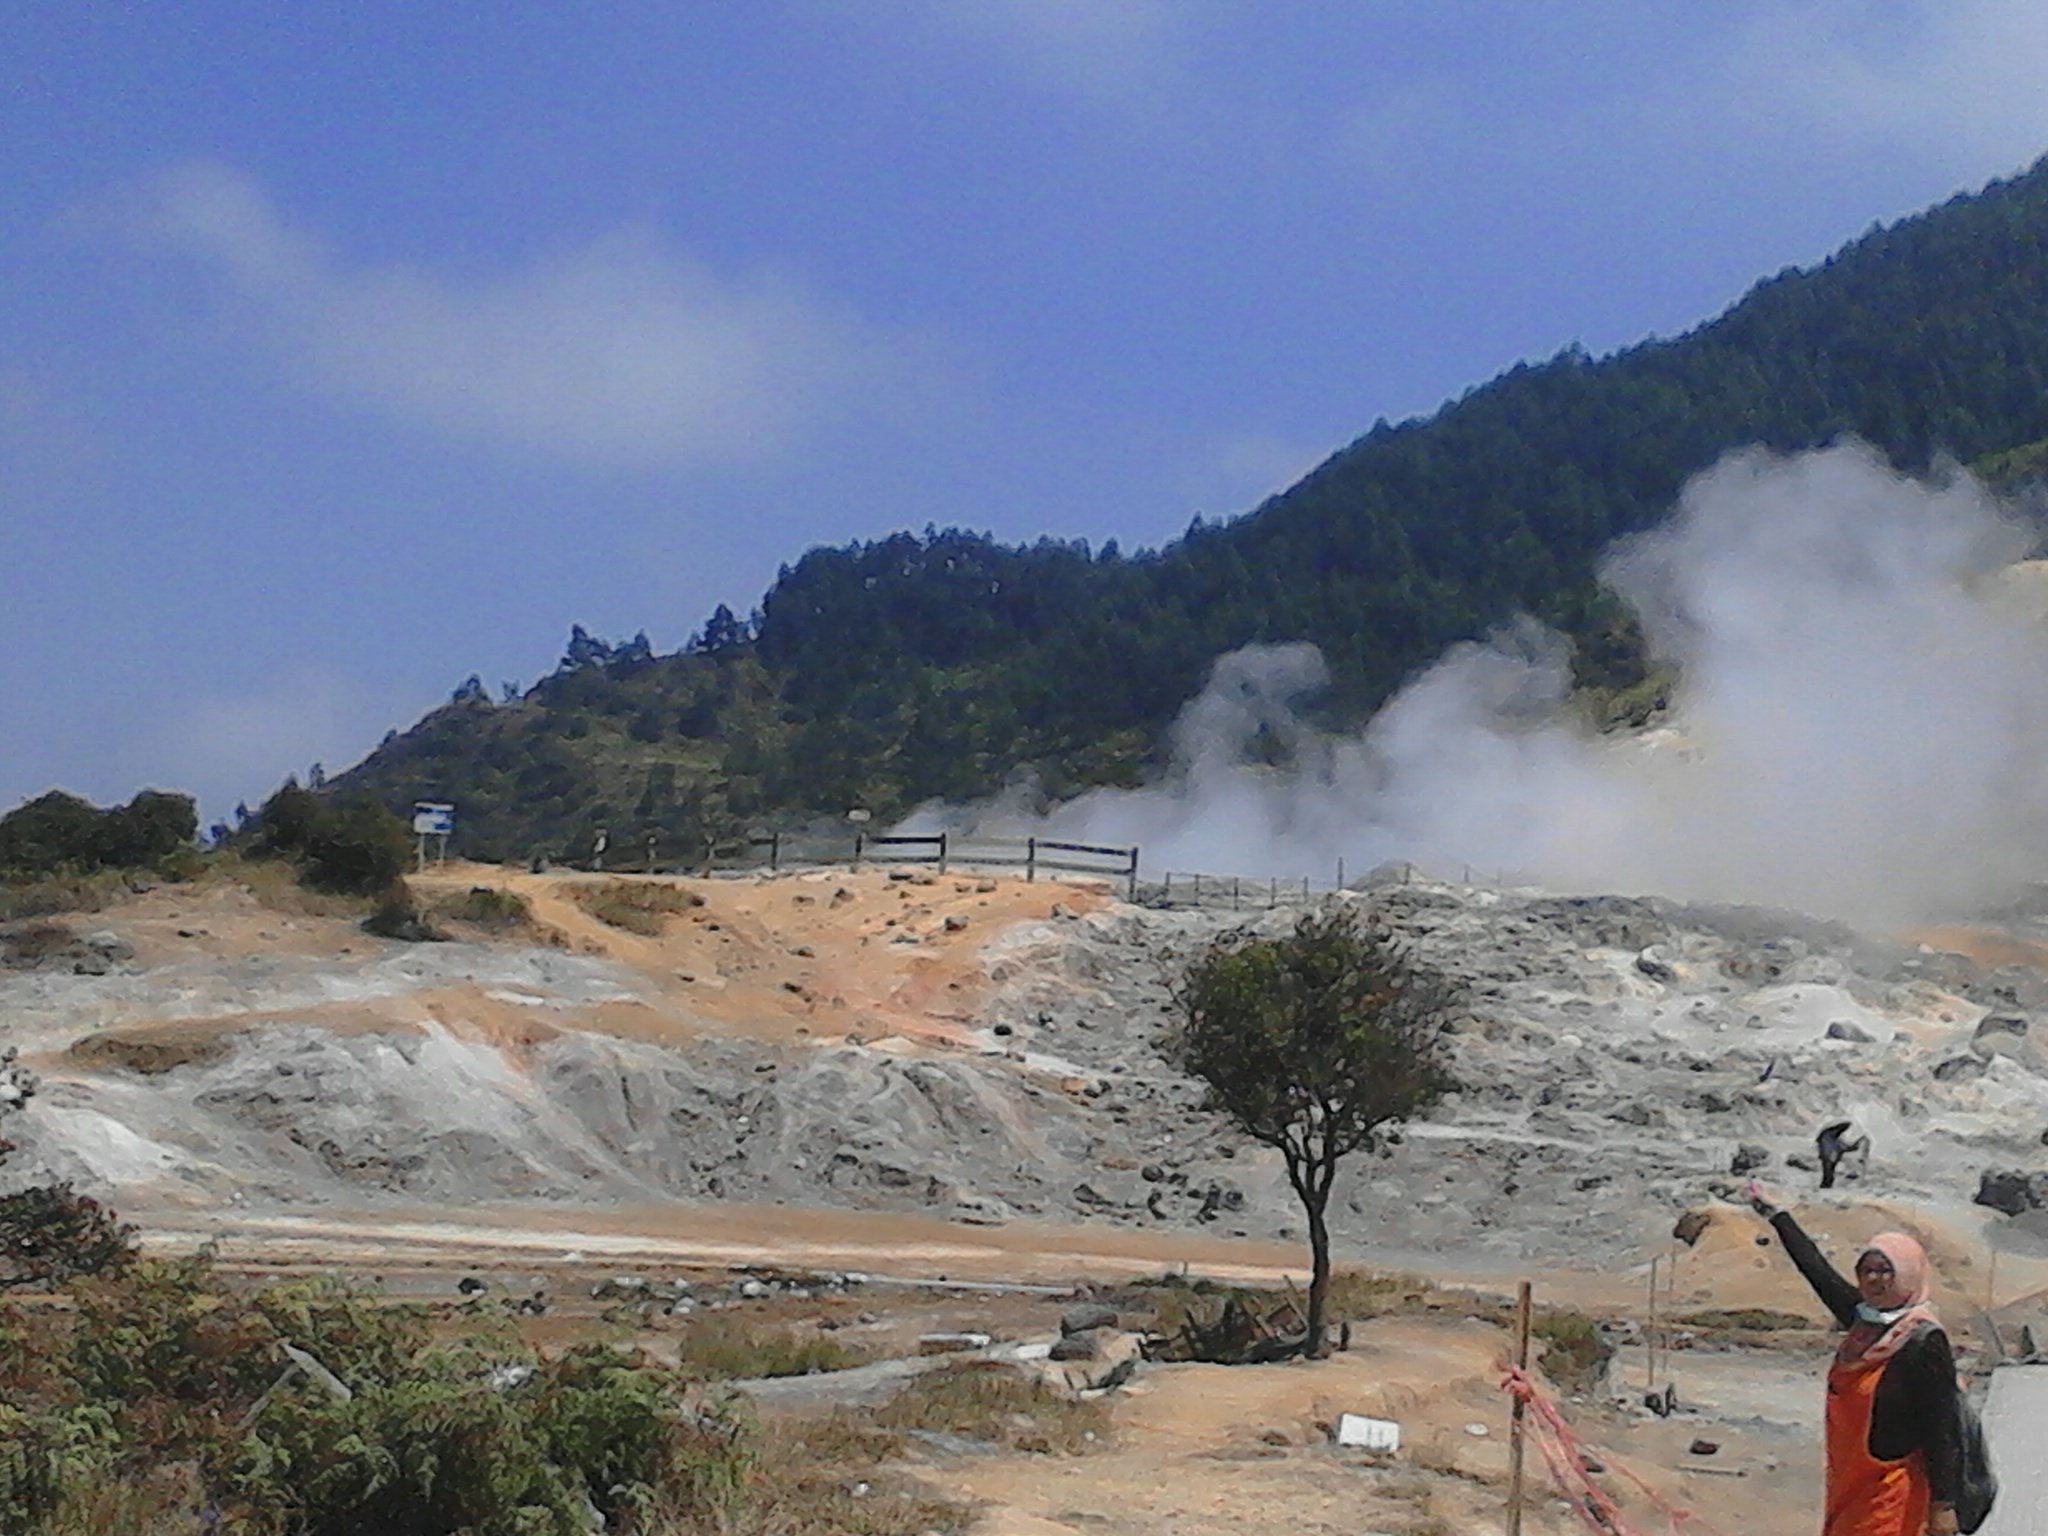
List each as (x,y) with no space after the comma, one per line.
(1316,1043)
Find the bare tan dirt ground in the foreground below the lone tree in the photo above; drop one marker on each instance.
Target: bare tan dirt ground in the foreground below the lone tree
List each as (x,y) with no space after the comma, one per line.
(1209,1451)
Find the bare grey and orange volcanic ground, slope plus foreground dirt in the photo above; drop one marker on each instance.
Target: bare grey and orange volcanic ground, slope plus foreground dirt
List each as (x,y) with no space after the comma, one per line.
(955,1074)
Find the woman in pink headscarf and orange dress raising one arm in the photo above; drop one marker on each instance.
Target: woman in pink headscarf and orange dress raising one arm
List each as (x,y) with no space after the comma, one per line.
(1893,1457)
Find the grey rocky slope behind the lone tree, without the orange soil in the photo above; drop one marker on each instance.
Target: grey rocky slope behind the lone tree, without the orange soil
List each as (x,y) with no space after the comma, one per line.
(1623,1060)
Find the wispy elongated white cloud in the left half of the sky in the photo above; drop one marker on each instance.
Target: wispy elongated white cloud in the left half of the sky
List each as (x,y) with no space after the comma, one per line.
(624,351)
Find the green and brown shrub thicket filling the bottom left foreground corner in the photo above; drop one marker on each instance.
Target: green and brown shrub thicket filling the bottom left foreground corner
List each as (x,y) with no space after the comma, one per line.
(169,1392)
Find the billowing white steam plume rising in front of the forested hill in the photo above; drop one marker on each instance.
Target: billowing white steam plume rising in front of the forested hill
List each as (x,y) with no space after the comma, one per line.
(1861,728)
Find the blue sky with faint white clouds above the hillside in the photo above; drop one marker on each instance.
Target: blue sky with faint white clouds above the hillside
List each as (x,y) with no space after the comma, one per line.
(347,351)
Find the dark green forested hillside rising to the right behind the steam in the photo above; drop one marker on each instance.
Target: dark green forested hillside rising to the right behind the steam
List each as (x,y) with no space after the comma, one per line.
(937,665)
